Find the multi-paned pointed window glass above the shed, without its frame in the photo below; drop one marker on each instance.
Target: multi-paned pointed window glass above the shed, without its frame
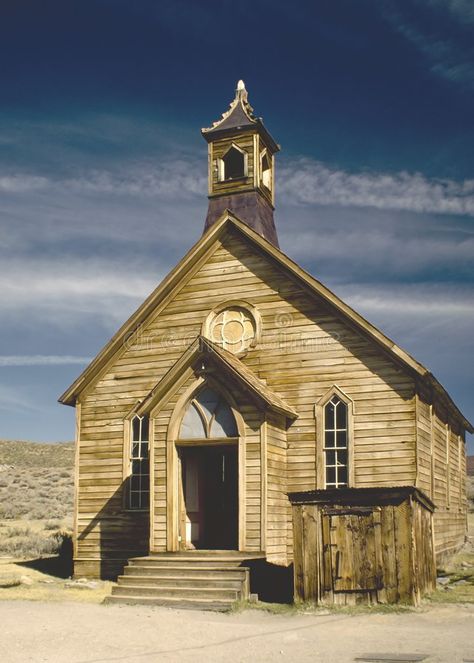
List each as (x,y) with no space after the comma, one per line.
(336,443)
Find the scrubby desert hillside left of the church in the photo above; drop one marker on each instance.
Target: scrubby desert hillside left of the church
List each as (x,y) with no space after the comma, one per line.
(36,496)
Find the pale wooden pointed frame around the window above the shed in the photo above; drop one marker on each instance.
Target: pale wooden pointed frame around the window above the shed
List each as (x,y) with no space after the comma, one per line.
(319,412)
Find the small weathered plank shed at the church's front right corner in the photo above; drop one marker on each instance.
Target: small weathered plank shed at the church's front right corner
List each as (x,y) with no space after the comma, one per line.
(363,545)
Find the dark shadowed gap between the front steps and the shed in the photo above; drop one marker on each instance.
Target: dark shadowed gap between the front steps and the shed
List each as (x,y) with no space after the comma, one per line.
(272,583)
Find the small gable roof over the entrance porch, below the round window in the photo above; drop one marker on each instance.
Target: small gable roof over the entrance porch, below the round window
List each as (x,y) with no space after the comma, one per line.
(202,348)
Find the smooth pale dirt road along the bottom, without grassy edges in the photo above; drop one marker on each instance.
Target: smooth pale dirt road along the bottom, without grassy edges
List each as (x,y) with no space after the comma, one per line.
(83,633)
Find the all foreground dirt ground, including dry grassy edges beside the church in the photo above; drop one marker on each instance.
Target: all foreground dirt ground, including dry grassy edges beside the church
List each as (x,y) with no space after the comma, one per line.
(47,617)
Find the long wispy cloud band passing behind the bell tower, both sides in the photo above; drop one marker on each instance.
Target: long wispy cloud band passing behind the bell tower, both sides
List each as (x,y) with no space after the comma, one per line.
(302,180)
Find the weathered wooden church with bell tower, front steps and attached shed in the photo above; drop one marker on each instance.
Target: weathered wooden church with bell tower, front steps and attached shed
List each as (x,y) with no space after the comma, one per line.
(246,421)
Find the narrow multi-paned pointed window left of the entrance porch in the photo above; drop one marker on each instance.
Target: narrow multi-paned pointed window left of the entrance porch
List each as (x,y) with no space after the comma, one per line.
(139,478)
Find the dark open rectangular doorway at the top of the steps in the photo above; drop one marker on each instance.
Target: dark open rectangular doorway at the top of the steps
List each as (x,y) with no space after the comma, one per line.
(209,512)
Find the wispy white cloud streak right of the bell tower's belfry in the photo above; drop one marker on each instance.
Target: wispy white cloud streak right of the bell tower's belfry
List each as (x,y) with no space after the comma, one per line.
(310,182)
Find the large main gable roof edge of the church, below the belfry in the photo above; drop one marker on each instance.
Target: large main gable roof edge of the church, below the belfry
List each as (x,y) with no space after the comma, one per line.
(227,223)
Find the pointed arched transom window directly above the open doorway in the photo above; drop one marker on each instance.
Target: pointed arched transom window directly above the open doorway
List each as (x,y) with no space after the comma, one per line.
(208,416)
